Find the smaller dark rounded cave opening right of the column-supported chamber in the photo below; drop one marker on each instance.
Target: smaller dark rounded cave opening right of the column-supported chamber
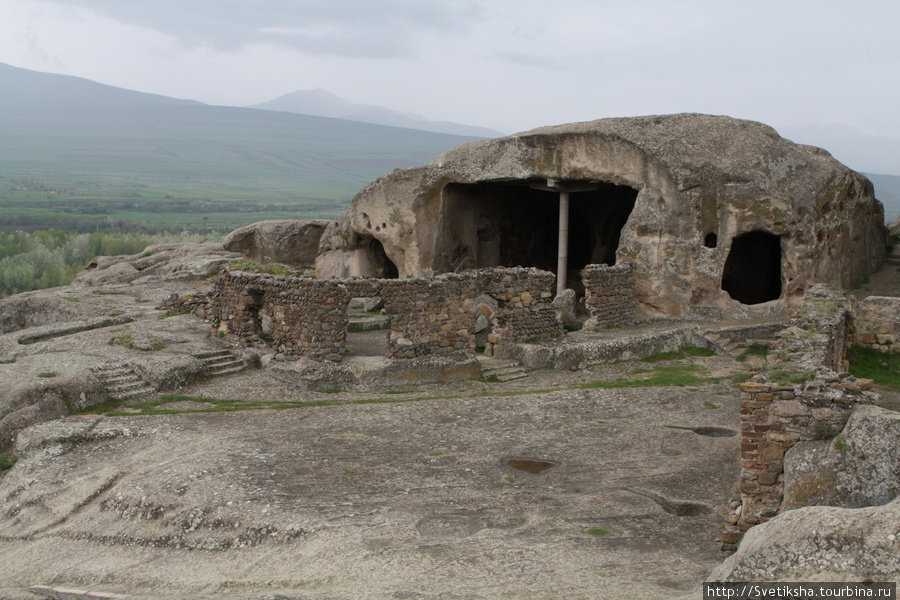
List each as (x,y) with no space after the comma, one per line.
(752,273)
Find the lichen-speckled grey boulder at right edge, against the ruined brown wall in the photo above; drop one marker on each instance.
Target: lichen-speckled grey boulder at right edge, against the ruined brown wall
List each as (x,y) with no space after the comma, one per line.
(858,468)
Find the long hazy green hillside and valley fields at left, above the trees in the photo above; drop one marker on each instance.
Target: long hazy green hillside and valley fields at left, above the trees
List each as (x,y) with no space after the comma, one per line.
(75,154)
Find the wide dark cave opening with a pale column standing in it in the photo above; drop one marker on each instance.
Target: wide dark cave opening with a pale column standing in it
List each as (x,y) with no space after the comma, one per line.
(516,223)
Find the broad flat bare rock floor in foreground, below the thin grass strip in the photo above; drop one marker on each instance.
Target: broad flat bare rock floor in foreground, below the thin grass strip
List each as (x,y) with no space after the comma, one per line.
(377,501)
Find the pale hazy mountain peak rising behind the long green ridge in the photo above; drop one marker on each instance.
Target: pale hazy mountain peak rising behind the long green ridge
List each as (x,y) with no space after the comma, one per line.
(323,103)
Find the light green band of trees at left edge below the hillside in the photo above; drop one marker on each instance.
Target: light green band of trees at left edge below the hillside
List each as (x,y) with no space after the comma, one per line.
(50,258)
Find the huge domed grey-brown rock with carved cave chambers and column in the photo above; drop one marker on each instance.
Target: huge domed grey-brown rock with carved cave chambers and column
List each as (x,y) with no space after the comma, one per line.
(722,218)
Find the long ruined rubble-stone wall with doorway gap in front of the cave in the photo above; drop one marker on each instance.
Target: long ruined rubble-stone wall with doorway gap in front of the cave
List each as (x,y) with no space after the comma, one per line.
(428,315)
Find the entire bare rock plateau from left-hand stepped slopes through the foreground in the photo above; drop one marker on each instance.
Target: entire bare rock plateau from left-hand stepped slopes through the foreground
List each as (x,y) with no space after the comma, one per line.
(220,479)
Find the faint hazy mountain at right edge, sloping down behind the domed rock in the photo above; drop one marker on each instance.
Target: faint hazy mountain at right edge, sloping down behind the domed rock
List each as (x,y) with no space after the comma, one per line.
(861,152)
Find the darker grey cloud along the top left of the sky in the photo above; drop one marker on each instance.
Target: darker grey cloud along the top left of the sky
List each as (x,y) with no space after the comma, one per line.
(383,29)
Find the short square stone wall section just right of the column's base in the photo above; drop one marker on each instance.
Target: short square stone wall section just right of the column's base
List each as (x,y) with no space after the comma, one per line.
(609,294)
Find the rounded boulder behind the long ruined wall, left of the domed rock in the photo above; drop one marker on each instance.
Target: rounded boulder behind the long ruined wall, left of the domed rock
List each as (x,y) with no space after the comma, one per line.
(287,241)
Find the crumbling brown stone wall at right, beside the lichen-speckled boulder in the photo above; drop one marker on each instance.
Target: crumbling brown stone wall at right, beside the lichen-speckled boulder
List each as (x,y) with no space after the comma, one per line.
(803,394)
